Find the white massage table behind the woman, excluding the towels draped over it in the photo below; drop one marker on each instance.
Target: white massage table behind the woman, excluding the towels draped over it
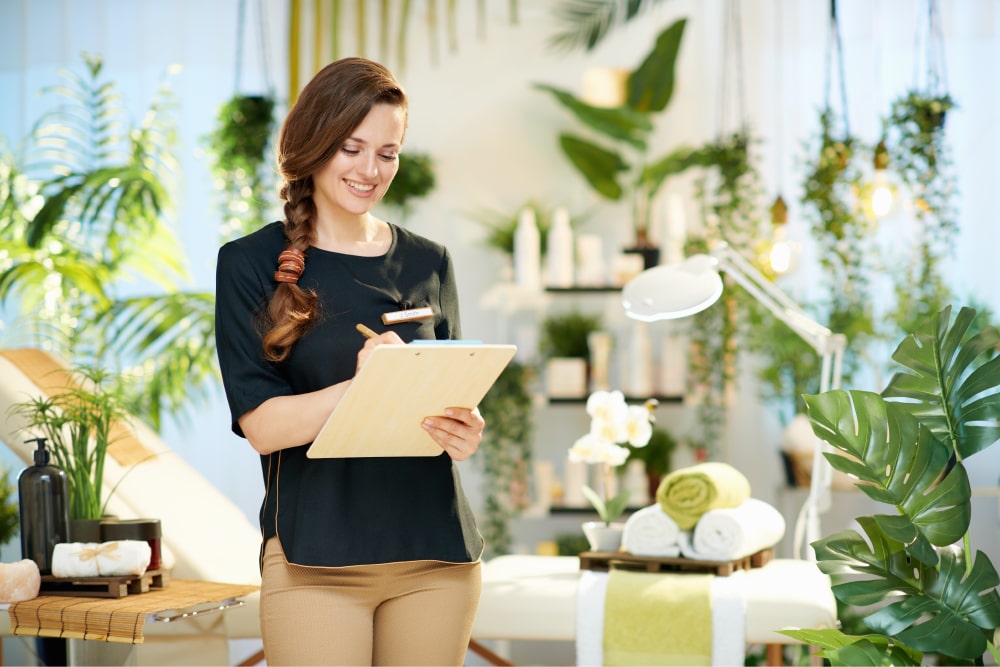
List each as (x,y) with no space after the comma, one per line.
(534,598)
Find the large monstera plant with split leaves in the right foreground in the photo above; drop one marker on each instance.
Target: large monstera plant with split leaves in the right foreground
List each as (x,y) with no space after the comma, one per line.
(913,575)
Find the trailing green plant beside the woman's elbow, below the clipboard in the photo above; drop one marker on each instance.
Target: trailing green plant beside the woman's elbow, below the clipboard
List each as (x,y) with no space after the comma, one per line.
(505,455)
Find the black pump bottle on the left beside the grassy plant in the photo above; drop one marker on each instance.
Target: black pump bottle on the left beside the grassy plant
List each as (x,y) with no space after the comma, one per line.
(43,492)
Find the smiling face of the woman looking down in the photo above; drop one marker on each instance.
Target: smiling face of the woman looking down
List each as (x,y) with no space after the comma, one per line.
(359,173)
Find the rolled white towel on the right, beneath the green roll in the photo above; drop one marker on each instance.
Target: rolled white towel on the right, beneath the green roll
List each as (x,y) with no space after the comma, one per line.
(734,532)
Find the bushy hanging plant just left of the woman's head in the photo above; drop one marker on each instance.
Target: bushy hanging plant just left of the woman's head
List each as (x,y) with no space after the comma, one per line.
(238,147)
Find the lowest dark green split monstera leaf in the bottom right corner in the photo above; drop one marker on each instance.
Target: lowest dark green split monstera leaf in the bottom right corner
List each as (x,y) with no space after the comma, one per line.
(932,609)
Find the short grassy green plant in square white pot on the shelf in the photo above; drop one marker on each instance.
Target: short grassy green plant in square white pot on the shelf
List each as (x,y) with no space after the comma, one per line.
(564,344)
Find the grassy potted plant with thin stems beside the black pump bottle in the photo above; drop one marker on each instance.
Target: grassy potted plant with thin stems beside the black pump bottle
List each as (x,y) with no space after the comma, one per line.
(78,423)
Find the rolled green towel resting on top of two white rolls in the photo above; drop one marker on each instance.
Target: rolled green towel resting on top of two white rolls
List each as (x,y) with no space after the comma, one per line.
(687,493)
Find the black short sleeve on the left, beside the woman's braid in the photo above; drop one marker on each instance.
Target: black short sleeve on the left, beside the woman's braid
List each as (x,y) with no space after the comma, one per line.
(240,296)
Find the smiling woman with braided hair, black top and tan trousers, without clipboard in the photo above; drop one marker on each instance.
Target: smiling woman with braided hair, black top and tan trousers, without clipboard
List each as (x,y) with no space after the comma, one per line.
(365,561)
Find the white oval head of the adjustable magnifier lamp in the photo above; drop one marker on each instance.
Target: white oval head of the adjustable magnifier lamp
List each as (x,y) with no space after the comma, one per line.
(672,291)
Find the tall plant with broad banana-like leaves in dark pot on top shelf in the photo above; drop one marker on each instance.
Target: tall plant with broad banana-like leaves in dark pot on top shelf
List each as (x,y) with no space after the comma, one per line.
(624,170)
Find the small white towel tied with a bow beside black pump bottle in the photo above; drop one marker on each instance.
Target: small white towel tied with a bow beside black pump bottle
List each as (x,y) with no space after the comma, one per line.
(106,559)
